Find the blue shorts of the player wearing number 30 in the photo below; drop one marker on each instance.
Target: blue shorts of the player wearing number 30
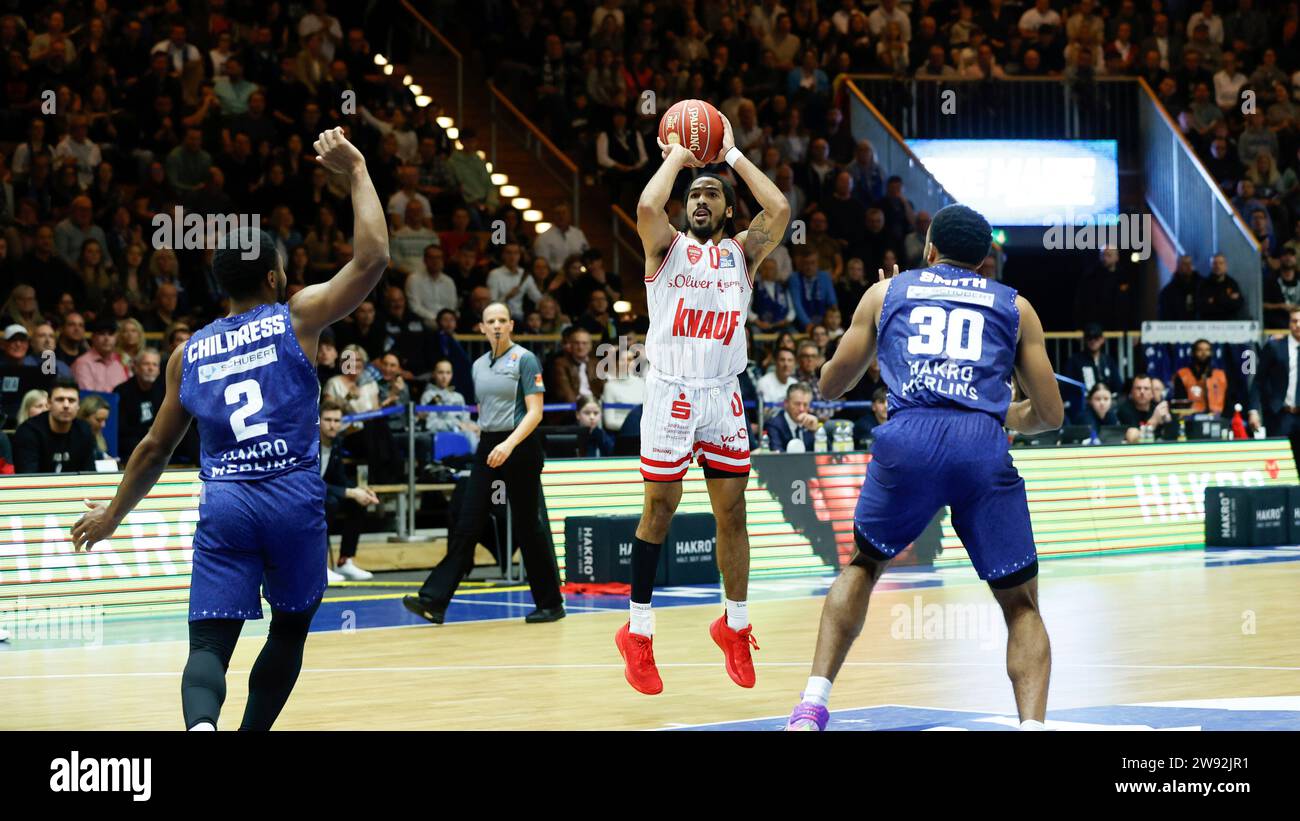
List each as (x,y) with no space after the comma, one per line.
(930,458)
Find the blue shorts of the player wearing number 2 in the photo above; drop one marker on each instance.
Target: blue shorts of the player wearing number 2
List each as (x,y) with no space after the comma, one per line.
(266,535)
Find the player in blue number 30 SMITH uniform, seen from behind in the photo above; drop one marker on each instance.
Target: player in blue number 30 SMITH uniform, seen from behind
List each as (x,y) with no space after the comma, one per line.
(950,342)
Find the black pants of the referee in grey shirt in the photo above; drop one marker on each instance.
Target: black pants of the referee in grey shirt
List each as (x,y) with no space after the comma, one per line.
(522,476)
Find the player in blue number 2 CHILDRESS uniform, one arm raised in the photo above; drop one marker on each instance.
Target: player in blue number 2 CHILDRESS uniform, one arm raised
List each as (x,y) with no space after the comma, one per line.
(250,381)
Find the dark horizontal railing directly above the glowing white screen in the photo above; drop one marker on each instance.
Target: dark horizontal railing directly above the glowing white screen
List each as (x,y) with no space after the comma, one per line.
(1013,108)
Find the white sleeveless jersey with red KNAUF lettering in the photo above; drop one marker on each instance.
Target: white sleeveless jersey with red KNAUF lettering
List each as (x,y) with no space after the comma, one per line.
(699,302)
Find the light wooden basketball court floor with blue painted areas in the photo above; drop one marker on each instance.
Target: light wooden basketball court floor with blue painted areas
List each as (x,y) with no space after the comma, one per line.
(1217,631)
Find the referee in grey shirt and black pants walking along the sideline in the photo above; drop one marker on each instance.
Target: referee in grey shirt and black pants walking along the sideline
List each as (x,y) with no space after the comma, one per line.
(509,385)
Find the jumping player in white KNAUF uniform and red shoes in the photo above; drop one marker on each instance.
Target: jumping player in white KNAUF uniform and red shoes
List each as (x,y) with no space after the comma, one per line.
(699,288)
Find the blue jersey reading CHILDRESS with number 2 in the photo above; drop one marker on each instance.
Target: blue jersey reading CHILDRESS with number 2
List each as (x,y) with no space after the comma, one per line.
(254,396)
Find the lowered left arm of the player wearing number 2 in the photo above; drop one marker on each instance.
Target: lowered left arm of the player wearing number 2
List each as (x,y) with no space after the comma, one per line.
(146,466)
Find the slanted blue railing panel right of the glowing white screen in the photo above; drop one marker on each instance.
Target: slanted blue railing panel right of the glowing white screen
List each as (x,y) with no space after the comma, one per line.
(1190,205)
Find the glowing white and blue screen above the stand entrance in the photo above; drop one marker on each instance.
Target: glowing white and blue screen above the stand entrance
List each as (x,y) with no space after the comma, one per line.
(1029,183)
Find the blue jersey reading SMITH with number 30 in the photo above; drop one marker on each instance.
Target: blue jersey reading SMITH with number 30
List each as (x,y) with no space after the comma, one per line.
(947,340)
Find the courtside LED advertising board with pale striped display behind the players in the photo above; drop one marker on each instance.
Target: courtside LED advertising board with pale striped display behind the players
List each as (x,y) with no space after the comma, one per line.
(1084,501)
